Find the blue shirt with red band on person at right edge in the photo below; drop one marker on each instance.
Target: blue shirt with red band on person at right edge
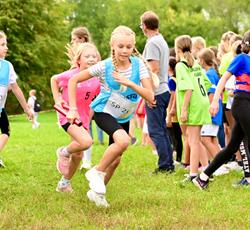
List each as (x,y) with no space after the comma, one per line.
(240,68)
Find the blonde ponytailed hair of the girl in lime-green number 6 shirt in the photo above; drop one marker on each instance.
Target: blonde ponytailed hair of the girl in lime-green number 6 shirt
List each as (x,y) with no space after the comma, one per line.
(184,44)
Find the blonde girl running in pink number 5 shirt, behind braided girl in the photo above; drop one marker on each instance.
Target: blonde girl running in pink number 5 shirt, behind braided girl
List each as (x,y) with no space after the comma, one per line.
(70,156)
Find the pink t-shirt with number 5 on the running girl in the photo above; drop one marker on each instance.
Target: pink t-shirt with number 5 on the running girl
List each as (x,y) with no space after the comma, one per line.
(85,93)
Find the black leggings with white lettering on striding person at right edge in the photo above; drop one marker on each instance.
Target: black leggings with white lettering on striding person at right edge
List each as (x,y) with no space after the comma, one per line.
(239,133)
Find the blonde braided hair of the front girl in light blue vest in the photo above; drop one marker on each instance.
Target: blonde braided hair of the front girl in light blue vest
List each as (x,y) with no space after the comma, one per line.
(124,30)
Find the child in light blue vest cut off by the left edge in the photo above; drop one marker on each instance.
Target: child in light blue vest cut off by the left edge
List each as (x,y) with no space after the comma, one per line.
(8,81)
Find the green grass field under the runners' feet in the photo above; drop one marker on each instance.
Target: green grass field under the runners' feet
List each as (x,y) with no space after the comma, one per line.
(138,199)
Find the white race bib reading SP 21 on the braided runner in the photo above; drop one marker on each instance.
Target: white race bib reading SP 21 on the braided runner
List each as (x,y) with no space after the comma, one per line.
(119,106)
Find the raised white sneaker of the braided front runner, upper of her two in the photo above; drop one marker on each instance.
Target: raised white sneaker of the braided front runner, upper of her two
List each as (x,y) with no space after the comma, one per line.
(96,180)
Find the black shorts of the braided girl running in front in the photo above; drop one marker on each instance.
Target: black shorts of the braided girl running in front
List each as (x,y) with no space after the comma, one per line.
(109,124)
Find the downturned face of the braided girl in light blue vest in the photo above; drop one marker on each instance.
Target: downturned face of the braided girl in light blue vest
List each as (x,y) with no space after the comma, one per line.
(123,46)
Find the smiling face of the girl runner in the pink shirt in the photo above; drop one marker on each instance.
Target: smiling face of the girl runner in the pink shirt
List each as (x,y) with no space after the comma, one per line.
(88,58)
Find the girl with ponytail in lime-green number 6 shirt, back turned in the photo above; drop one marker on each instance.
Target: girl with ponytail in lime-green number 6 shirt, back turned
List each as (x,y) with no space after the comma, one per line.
(192,101)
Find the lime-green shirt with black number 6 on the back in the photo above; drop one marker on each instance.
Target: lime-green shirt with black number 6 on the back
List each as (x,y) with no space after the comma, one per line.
(194,79)
